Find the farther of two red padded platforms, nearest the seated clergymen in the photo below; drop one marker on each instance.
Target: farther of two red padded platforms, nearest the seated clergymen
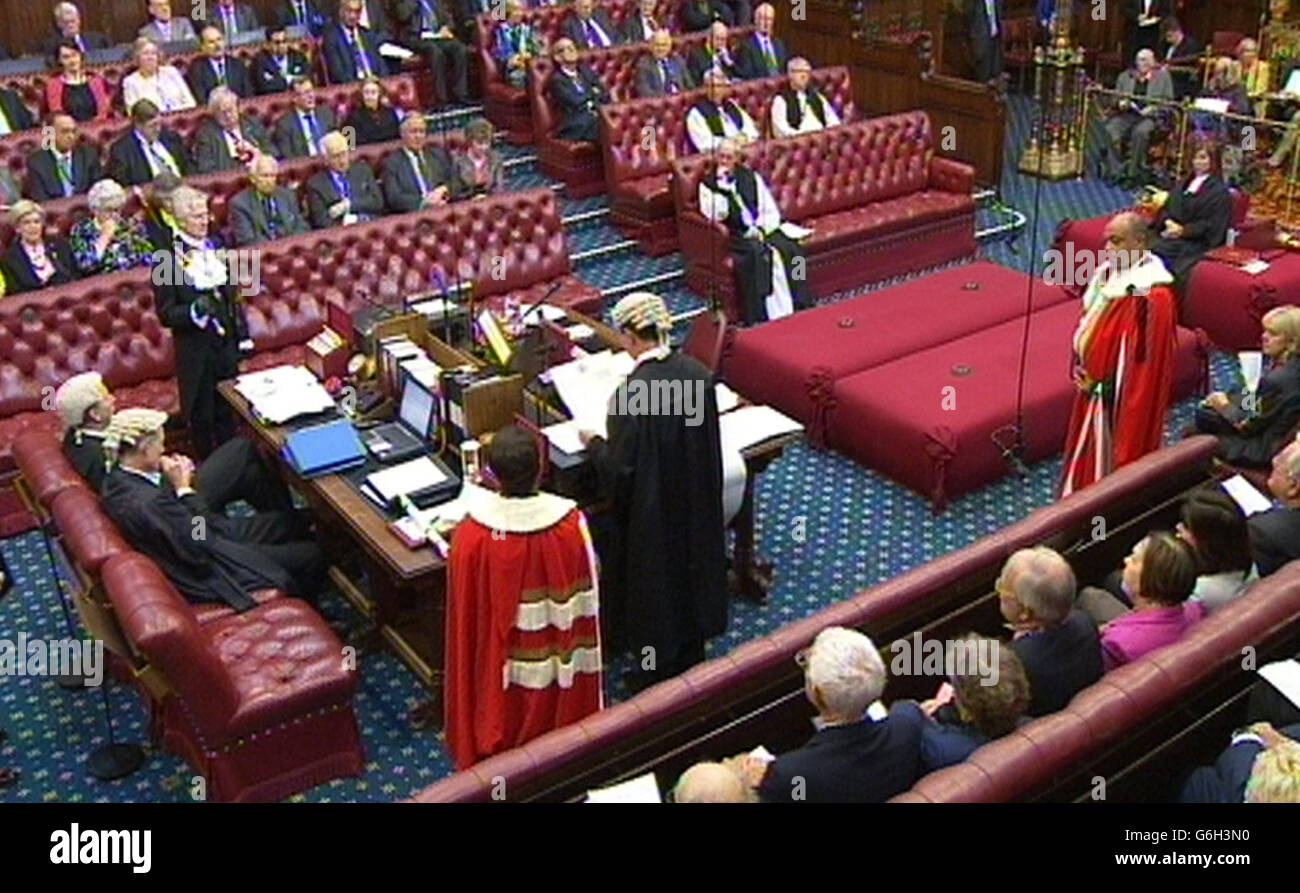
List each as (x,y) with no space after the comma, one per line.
(794,363)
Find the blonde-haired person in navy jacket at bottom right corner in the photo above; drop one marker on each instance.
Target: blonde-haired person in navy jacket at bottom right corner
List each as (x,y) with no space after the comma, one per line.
(1262,766)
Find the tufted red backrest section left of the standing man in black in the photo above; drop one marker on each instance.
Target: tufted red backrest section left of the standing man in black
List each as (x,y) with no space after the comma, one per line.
(106,324)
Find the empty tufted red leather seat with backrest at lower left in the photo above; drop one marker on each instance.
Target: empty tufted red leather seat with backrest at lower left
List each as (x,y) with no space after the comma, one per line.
(262,705)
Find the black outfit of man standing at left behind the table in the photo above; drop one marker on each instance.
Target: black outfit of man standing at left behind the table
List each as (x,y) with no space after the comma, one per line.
(203,357)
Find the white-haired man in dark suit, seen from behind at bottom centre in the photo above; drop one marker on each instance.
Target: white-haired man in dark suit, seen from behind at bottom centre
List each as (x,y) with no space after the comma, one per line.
(851,758)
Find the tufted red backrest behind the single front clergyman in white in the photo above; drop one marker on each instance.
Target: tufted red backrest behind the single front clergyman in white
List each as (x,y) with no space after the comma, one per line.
(833,170)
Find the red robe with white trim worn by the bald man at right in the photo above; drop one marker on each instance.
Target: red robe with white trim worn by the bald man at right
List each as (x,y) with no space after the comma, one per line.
(1128,349)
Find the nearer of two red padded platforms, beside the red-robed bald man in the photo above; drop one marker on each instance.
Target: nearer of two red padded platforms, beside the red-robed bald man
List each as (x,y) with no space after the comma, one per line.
(894,418)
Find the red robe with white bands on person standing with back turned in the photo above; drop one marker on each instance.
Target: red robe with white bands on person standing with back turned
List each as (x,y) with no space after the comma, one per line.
(523,631)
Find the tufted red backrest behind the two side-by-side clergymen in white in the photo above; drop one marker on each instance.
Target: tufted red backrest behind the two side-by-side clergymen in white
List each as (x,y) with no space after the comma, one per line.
(643,137)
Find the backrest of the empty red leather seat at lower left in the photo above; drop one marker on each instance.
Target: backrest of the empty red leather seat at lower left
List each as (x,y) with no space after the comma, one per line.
(161,625)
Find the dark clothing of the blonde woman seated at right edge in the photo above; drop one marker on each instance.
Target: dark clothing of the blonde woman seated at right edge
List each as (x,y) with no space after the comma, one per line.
(1266,431)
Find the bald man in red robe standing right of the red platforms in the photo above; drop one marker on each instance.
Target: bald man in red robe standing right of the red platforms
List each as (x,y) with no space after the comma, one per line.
(1124,359)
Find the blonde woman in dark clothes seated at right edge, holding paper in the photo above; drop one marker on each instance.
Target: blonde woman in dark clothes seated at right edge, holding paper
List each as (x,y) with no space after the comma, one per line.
(1253,427)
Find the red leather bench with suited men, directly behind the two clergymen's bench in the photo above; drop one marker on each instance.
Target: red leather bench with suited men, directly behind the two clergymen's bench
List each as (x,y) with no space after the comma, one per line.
(575,163)
